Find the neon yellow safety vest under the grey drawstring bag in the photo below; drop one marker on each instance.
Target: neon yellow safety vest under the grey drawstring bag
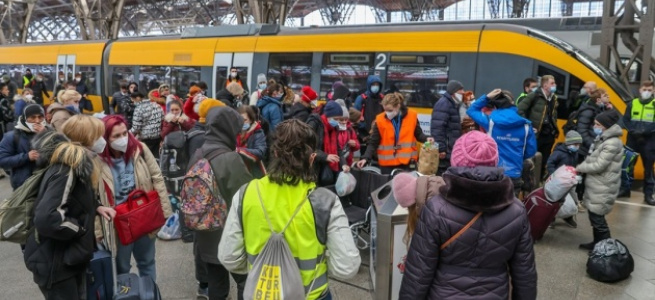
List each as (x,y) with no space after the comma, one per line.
(306,238)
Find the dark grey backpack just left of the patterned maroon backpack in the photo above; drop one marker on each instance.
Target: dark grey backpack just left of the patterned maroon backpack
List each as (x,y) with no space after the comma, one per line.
(174,158)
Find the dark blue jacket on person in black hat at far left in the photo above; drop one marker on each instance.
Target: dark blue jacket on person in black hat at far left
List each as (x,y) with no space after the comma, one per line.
(14,156)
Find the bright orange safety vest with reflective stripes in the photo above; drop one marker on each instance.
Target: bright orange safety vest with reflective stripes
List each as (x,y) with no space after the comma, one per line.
(392,154)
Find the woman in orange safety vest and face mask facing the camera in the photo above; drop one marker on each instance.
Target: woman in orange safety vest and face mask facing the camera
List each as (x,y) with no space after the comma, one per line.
(394,136)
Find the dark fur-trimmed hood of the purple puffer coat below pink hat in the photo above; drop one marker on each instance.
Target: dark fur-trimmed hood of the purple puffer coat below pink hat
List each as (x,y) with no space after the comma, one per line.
(484,189)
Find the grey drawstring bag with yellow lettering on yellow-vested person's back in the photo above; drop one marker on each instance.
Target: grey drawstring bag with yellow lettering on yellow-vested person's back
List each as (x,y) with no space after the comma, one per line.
(275,272)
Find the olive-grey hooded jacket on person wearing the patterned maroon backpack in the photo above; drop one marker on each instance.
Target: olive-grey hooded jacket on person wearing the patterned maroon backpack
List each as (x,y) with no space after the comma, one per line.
(223,125)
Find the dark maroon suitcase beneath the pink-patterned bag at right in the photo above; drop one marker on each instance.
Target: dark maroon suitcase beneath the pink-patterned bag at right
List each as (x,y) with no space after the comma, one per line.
(541,212)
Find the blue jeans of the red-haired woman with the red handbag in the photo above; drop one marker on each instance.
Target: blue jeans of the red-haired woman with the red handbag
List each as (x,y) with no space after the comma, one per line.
(144,254)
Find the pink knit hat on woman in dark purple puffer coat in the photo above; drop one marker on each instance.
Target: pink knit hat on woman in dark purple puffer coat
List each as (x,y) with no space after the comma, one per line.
(474,149)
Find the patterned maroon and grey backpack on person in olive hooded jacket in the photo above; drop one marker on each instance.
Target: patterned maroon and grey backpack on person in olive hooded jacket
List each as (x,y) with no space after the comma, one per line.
(203,206)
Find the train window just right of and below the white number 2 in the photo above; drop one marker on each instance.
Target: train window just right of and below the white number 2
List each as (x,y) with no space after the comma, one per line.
(418,84)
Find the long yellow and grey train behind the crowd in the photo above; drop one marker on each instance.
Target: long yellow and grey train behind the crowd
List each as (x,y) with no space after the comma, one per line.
(416,59)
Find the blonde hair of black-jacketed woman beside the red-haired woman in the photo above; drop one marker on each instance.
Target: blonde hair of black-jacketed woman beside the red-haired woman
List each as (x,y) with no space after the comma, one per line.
(83,129)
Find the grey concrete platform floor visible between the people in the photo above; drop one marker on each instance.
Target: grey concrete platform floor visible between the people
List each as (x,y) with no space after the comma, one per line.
(560,264)
